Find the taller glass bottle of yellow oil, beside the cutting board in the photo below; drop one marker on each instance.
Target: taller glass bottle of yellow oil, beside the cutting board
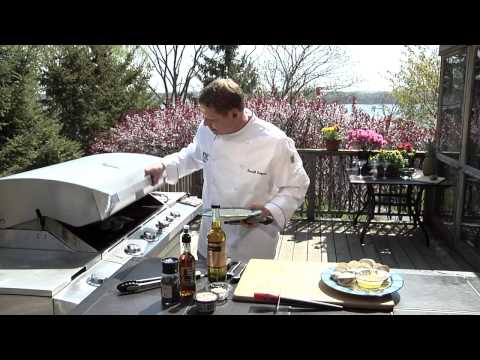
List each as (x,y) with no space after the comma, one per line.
(217,254)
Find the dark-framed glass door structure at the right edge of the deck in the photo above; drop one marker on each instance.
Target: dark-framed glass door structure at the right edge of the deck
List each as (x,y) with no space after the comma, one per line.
(458,144)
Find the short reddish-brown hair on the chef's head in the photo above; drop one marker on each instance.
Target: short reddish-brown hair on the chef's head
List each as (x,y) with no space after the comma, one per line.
(223,95)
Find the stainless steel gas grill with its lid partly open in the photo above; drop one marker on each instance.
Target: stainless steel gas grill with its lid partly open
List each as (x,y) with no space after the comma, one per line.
(66,227)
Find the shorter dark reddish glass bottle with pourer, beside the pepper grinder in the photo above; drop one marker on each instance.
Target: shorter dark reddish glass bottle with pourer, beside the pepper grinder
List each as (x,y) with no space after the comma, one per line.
(187,268)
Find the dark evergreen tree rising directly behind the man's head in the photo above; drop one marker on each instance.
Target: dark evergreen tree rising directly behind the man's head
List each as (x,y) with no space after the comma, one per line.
(224,63)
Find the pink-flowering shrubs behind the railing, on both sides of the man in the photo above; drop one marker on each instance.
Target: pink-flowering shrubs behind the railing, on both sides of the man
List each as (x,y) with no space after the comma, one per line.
(162,131)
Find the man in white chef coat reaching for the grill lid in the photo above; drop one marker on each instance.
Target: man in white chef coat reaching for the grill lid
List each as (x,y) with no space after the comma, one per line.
(247,163)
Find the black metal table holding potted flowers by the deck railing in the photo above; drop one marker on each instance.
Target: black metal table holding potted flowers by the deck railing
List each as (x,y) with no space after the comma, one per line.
(411,199)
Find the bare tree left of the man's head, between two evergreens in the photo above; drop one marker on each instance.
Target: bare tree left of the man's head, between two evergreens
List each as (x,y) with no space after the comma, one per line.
(167,61)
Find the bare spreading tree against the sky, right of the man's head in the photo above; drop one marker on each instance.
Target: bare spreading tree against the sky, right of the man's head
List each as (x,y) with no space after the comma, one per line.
(292,68)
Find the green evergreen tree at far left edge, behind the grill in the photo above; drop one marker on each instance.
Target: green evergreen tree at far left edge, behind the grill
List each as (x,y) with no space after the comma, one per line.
(28,138)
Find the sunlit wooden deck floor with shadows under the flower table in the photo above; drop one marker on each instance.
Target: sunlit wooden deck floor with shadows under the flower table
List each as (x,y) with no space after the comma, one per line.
(396,245)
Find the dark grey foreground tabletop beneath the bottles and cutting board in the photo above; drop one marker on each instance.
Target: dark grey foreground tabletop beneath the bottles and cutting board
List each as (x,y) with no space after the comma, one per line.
(424,292)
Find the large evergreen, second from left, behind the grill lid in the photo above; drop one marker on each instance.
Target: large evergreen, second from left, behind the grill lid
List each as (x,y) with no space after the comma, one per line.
(91,87)
